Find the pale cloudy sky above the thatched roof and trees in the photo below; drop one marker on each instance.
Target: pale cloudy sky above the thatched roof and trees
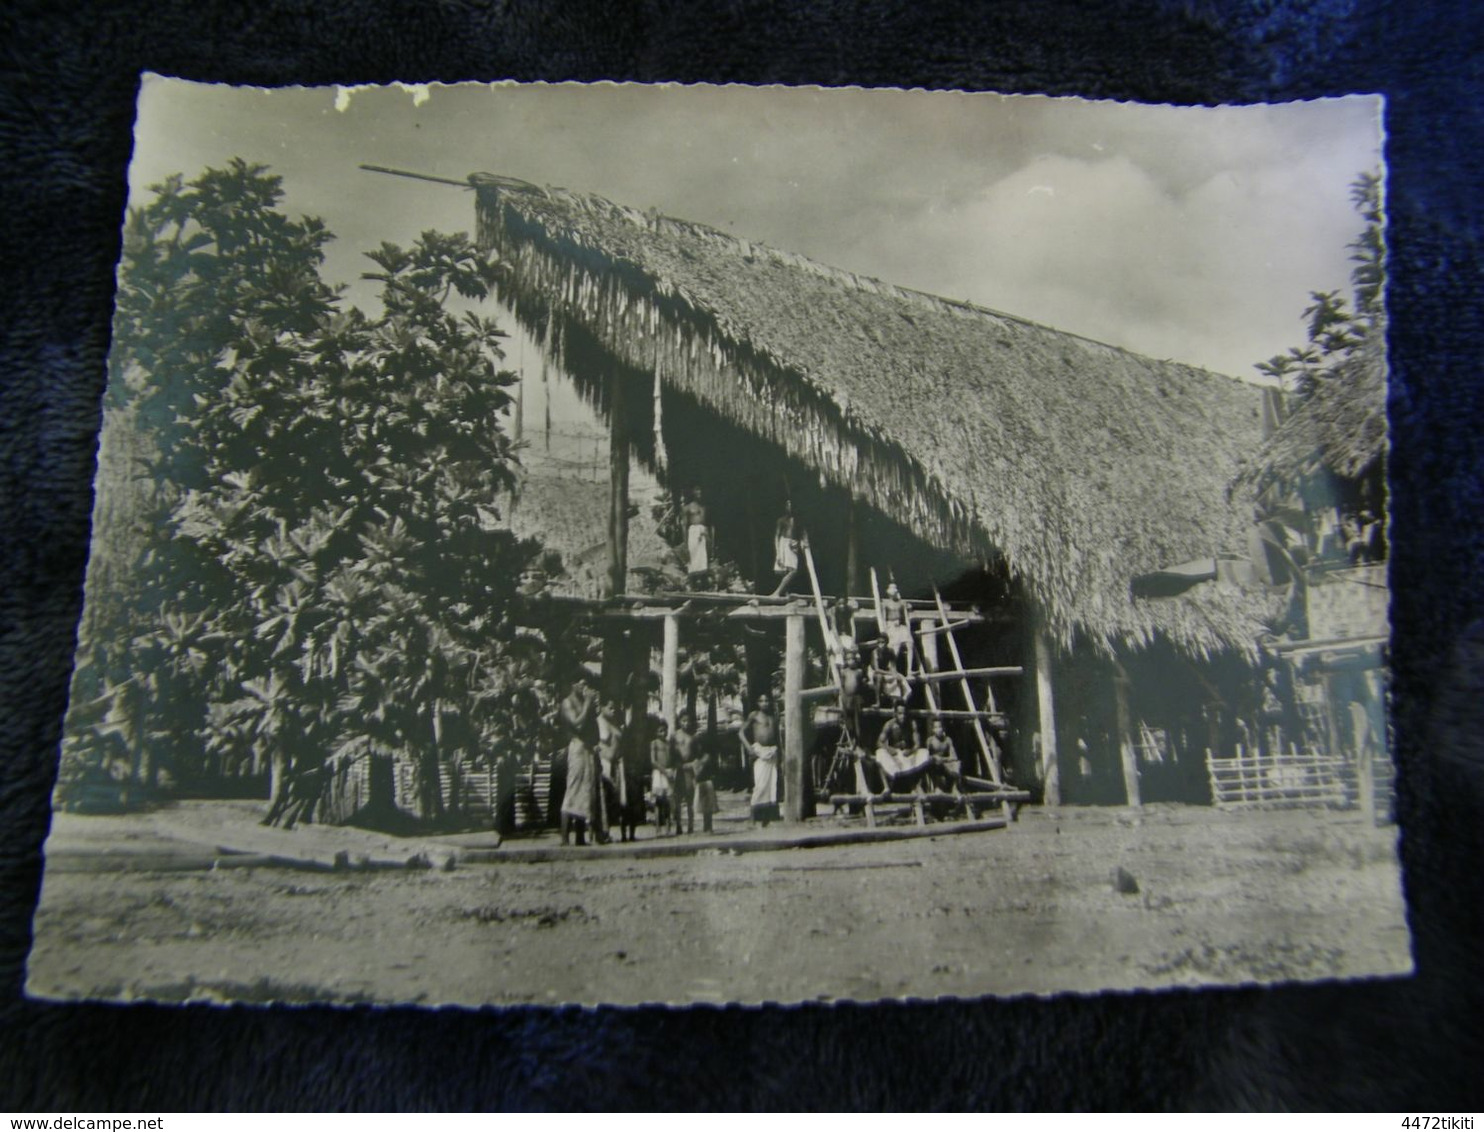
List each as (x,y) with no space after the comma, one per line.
(1186,234)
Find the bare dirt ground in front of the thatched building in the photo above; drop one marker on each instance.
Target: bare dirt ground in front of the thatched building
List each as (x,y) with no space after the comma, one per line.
(1224,898)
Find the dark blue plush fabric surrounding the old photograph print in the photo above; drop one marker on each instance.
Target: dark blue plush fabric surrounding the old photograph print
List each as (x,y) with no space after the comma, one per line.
(66,111)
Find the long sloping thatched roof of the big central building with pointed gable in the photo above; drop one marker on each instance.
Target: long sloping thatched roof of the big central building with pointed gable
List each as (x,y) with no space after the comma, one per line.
(1081,464)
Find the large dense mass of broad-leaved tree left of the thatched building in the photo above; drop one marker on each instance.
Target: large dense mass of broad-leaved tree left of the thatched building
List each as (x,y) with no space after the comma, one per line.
(341,578)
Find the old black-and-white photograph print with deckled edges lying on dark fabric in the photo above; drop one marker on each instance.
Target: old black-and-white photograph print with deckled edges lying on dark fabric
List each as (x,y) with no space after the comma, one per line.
(614,544)
